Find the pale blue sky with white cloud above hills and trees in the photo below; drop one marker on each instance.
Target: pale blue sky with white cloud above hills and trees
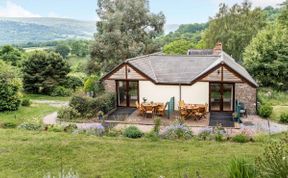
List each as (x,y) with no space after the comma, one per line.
(176,11)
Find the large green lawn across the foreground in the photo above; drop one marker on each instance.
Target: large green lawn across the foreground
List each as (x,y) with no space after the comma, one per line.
(34,154)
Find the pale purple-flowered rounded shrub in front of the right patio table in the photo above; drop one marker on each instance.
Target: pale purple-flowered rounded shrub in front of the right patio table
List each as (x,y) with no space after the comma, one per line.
(177,131)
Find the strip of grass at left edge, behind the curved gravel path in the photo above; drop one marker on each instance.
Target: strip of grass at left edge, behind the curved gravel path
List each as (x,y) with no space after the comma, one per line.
(26,113)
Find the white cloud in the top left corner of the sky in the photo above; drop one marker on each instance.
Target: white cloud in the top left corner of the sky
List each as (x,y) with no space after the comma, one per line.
(13,10)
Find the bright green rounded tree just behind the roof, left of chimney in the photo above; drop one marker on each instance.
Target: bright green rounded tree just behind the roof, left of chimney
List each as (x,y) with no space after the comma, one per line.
(178,47)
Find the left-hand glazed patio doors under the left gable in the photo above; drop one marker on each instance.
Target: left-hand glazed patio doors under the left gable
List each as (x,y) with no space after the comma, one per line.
(127,93)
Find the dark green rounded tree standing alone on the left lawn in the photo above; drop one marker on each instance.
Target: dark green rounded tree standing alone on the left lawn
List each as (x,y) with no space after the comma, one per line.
(43,71)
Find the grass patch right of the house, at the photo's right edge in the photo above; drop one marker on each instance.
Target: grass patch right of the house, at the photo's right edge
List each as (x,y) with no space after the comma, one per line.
(278,99)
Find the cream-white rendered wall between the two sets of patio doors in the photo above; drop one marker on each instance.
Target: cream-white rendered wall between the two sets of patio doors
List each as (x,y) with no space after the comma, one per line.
(197,93)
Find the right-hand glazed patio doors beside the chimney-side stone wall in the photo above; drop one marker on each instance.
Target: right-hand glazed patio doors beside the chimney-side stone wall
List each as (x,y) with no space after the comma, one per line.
(221,97)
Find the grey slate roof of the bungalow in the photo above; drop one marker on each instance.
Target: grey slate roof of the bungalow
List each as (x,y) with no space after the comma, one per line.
(166,69)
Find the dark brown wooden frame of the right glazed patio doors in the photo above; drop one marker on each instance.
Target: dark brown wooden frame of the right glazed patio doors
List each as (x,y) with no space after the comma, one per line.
(221,93)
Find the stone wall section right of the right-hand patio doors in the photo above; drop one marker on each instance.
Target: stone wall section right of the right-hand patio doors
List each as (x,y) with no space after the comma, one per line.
(248,95)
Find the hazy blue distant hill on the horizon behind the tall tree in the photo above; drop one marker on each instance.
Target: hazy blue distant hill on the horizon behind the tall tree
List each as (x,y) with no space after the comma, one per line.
(43,29)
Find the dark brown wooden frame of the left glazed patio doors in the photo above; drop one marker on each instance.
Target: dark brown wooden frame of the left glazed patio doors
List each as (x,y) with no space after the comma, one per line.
(126,91)
